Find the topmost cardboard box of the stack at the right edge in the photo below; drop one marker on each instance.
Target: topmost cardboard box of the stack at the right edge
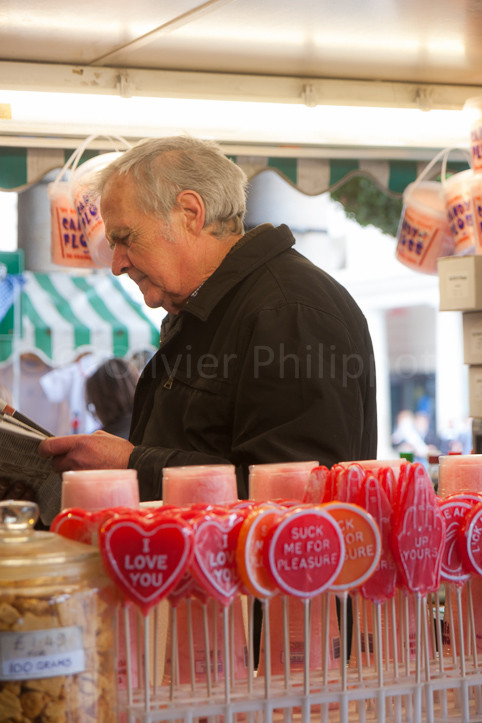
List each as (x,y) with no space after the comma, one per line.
(460,283)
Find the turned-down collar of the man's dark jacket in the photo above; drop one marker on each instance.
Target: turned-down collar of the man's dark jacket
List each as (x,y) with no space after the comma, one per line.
(252,251)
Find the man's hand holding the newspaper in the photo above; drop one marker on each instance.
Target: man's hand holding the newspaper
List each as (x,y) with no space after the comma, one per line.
(99,450)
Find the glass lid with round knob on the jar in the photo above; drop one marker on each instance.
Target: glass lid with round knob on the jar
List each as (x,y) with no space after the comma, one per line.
(24,550)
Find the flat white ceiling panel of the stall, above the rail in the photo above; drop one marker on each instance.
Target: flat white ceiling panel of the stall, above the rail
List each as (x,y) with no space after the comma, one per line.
(429,41)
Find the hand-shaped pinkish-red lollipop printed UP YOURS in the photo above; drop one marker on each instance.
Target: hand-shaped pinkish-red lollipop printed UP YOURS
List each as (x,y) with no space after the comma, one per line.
(418,534)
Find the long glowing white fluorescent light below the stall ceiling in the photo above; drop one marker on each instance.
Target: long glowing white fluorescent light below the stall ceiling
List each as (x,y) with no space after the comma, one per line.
(232,121)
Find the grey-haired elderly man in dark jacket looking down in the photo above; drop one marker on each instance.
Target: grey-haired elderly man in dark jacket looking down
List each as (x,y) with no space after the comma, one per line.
(263,356)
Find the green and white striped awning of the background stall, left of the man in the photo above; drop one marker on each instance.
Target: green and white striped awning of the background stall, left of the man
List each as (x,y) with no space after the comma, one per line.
(60,316)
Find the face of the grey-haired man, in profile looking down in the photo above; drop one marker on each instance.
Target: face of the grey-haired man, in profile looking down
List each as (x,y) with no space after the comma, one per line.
(157,255)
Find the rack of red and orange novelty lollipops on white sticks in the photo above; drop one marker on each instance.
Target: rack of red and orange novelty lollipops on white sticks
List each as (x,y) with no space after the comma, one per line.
(378,535)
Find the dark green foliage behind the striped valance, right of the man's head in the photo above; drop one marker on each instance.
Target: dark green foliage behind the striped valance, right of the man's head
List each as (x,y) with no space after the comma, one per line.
(365,203)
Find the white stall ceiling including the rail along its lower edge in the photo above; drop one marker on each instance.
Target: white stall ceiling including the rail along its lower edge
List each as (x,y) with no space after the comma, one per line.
(409,53)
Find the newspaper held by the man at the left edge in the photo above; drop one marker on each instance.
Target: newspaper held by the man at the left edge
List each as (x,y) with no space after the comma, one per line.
(19,460)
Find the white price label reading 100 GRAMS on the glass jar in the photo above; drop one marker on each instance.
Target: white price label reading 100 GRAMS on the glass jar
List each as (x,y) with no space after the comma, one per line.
(41,653)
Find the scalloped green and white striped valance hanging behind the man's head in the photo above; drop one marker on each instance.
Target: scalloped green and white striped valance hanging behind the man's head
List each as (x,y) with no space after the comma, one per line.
(20,168)
